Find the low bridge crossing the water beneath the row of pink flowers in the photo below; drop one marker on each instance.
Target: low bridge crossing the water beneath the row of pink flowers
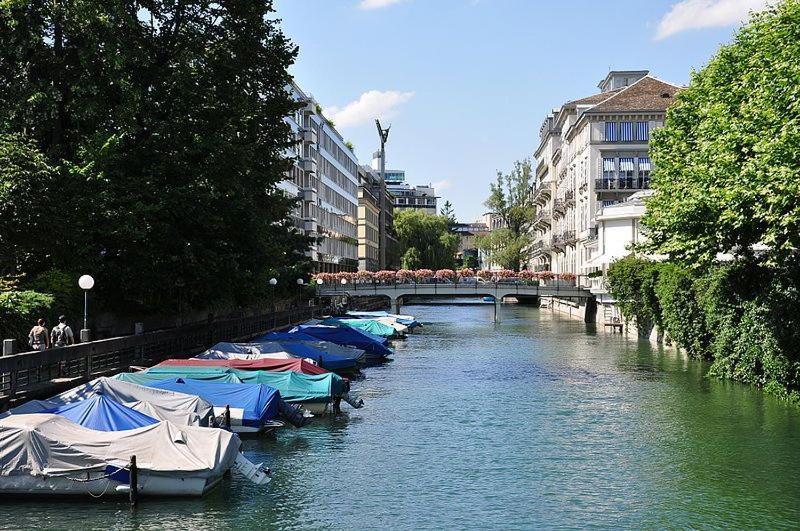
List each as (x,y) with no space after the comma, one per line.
(400,291)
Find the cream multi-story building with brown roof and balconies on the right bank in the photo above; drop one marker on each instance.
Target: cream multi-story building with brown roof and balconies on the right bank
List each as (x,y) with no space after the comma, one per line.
(593,153)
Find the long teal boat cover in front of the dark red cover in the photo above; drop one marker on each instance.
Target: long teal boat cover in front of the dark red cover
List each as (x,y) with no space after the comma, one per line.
(293,386)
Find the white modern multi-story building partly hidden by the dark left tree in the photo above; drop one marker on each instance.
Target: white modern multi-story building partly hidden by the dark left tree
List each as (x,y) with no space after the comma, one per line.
(325,179)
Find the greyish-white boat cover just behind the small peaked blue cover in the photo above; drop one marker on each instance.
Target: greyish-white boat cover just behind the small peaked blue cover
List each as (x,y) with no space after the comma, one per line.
(178,408)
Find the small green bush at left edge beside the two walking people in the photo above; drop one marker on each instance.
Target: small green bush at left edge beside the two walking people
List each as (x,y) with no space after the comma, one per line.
(19,311)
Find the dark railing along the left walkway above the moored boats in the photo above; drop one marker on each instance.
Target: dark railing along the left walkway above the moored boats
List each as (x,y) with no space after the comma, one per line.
(43,373)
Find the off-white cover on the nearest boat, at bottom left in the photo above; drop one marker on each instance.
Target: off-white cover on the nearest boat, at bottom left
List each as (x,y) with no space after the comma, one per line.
(50,445)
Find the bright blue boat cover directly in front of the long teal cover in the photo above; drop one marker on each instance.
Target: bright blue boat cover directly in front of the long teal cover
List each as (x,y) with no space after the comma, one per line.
(259,403)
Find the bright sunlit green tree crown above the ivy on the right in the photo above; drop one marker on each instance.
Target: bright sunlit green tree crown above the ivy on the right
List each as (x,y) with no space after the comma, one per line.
(728,157)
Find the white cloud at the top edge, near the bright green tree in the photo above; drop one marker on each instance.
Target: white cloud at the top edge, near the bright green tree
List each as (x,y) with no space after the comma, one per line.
(697,14)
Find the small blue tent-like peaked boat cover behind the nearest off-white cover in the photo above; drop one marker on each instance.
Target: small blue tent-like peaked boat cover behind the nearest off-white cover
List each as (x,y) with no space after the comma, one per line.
(103,414)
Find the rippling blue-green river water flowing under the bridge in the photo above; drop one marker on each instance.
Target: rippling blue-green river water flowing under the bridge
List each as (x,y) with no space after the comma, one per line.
(535,422)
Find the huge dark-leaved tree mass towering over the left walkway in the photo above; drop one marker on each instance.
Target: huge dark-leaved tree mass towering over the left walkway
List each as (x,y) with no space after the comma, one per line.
(163,124)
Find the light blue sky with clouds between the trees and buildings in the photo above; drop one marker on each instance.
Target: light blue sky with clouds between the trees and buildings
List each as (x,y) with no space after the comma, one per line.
(466,84)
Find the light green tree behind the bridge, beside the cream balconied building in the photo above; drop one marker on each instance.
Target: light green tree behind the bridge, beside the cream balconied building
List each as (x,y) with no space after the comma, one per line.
(511,199)
